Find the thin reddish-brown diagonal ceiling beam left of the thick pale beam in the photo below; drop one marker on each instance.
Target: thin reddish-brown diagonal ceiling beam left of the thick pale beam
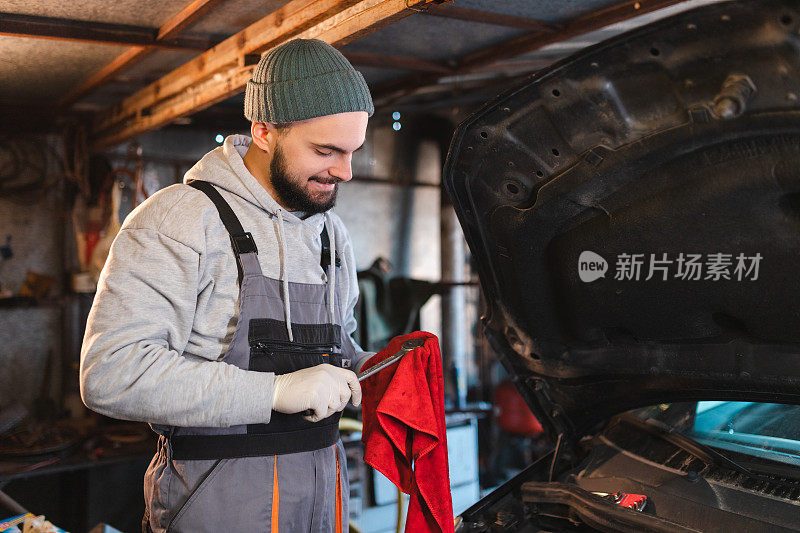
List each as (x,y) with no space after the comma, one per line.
(169,30)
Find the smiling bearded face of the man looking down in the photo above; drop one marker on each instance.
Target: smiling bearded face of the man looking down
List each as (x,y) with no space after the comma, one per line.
(312,157)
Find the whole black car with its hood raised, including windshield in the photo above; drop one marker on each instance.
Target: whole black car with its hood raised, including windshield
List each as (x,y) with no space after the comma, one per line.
(634,215)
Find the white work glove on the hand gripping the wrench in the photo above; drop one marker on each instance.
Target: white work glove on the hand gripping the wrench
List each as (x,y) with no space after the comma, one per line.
(325,389)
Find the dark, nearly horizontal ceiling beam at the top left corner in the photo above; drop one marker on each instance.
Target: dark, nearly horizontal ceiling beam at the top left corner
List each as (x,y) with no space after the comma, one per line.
(94,32)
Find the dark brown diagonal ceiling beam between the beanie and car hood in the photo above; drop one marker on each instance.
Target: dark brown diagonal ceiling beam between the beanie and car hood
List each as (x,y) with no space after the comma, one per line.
(521,45)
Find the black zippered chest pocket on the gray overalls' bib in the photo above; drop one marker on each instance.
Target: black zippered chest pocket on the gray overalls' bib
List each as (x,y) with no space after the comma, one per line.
(314,344)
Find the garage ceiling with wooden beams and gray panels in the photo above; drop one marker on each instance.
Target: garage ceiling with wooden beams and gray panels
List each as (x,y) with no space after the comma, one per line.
(138,65)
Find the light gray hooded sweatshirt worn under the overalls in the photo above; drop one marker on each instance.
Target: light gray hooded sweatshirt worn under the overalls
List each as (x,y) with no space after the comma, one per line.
(167,300)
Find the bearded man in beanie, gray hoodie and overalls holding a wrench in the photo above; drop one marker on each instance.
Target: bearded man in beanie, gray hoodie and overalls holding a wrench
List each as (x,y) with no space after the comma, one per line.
(224,313)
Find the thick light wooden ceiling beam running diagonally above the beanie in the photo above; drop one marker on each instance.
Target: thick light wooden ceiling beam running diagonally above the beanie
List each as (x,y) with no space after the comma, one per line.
(224,70)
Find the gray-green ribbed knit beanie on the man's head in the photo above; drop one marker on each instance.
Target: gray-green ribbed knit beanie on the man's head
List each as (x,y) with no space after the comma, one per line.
(301,79)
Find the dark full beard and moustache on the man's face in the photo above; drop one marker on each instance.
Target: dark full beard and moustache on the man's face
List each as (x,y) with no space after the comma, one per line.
(292,193)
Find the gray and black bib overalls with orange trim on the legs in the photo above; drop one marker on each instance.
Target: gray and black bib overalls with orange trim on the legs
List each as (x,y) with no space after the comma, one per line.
(288,475)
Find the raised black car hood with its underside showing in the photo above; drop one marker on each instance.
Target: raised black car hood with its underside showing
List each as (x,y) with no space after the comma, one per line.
(634,214)
